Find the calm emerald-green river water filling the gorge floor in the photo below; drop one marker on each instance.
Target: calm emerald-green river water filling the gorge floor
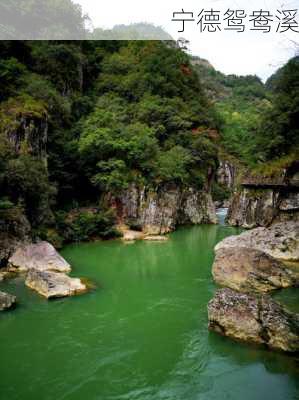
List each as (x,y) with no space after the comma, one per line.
(140,335)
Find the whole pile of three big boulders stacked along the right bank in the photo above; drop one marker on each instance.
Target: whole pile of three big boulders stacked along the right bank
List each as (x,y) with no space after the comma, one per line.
(250,262)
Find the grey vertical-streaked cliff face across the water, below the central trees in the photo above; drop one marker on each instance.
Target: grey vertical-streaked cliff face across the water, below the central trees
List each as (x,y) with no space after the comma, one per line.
(160,210)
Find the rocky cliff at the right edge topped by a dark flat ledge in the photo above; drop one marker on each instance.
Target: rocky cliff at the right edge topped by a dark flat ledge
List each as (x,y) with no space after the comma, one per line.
(262,201)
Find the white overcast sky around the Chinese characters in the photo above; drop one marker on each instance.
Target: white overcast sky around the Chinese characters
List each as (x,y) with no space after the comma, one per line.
(249,52)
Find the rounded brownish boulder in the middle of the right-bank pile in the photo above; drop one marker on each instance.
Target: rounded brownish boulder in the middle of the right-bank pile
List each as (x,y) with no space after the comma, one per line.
(247,269)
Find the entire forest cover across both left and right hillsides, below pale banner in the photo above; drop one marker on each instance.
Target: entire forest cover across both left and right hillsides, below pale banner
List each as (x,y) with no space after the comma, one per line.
(79,119)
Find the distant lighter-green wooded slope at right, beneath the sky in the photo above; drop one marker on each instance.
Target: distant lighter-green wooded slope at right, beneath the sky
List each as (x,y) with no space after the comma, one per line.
(260,122)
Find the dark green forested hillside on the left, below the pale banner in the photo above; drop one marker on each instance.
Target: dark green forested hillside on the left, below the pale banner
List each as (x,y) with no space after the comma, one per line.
(81,118)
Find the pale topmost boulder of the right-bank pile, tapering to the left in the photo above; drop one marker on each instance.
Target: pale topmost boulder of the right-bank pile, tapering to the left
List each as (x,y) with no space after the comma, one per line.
(280,241)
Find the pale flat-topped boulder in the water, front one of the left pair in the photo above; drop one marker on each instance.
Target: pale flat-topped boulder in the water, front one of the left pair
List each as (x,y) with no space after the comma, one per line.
(54,284)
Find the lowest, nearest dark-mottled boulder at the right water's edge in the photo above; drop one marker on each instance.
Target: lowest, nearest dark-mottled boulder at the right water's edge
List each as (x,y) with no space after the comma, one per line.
(247,318)
